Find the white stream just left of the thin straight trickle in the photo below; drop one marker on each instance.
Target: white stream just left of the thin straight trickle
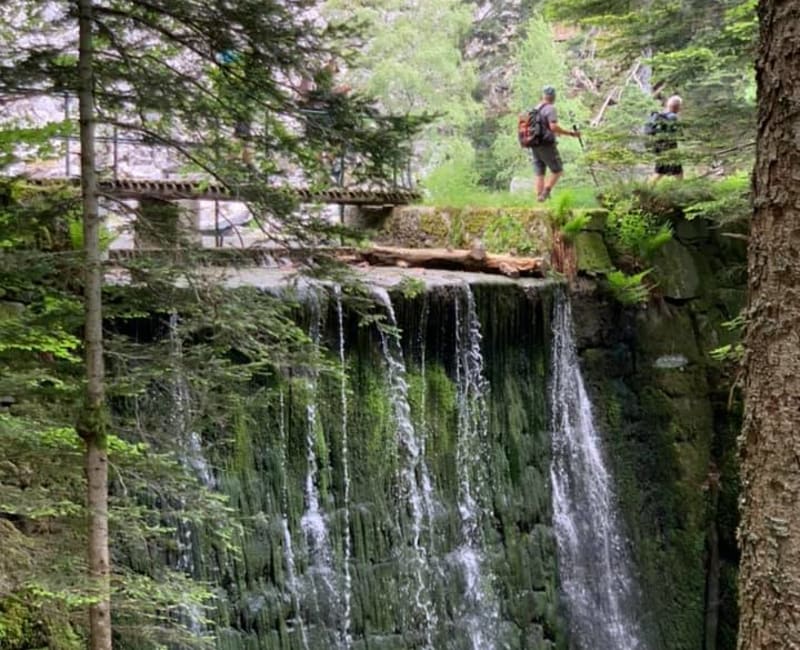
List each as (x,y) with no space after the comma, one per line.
(314,521)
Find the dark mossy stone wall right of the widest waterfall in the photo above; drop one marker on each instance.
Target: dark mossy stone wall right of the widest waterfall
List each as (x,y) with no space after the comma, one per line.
(662,405)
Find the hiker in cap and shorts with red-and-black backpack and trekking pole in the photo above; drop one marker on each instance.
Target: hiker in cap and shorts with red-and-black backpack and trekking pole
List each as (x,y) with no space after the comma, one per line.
(537,130)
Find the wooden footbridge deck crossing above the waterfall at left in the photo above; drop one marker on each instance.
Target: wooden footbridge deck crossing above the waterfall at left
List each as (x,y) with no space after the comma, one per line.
(177,190)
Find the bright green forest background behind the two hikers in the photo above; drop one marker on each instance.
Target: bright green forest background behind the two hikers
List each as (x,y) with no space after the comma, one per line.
(476,65)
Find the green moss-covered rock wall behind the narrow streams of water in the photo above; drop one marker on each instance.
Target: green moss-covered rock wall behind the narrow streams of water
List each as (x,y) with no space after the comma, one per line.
(394,600)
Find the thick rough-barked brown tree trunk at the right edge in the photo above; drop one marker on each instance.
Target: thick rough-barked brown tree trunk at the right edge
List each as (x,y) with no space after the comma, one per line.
(769,535)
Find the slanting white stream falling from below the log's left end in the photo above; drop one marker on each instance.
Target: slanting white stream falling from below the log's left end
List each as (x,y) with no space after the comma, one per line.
(414,475)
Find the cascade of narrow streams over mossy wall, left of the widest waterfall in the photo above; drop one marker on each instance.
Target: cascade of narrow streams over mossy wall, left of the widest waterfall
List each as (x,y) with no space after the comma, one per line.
(389,499)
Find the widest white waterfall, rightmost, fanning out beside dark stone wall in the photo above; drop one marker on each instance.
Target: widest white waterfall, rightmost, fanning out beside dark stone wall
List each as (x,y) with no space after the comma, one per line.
(594,566)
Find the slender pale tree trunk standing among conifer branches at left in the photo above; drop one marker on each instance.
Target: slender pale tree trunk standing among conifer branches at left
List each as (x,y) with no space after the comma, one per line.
(92,423)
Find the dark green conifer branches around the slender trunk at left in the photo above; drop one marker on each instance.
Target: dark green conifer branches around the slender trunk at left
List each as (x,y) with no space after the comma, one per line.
(237,89)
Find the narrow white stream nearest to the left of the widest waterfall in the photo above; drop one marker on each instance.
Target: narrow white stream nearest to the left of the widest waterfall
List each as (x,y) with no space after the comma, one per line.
(471,460)
